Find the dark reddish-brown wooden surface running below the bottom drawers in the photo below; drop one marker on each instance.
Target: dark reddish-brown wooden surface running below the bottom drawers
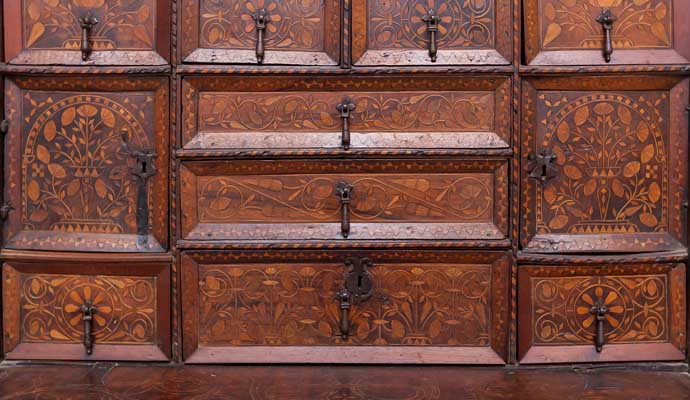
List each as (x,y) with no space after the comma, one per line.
(110,381)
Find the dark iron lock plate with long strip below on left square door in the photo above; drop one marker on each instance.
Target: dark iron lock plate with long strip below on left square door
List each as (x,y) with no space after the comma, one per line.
(143,169)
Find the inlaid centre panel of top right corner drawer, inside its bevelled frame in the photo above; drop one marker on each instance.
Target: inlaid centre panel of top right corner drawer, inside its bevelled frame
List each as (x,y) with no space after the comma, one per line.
(572,24)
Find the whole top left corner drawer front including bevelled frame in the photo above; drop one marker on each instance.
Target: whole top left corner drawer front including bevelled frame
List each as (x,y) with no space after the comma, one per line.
(125,32)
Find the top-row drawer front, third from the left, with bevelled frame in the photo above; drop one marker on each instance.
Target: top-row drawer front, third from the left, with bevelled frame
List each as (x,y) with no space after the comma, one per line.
(399,33)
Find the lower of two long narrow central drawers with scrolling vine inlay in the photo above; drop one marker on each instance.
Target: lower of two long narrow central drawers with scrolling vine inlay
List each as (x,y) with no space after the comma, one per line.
(295,200)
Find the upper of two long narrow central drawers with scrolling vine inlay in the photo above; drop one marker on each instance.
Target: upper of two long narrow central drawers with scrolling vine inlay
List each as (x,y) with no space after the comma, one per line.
(305,114)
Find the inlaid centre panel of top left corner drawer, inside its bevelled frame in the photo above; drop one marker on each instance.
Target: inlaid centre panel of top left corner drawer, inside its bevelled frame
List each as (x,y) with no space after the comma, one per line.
(123,24)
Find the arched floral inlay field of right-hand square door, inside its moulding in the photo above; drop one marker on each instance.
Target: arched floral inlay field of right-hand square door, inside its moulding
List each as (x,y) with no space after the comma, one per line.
(611,157)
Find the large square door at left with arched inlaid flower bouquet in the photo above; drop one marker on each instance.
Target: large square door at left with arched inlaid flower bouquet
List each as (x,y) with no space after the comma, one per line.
(84,159)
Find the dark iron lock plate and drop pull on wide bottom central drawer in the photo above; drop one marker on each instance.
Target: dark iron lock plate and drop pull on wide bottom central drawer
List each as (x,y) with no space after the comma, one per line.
(356,289)
